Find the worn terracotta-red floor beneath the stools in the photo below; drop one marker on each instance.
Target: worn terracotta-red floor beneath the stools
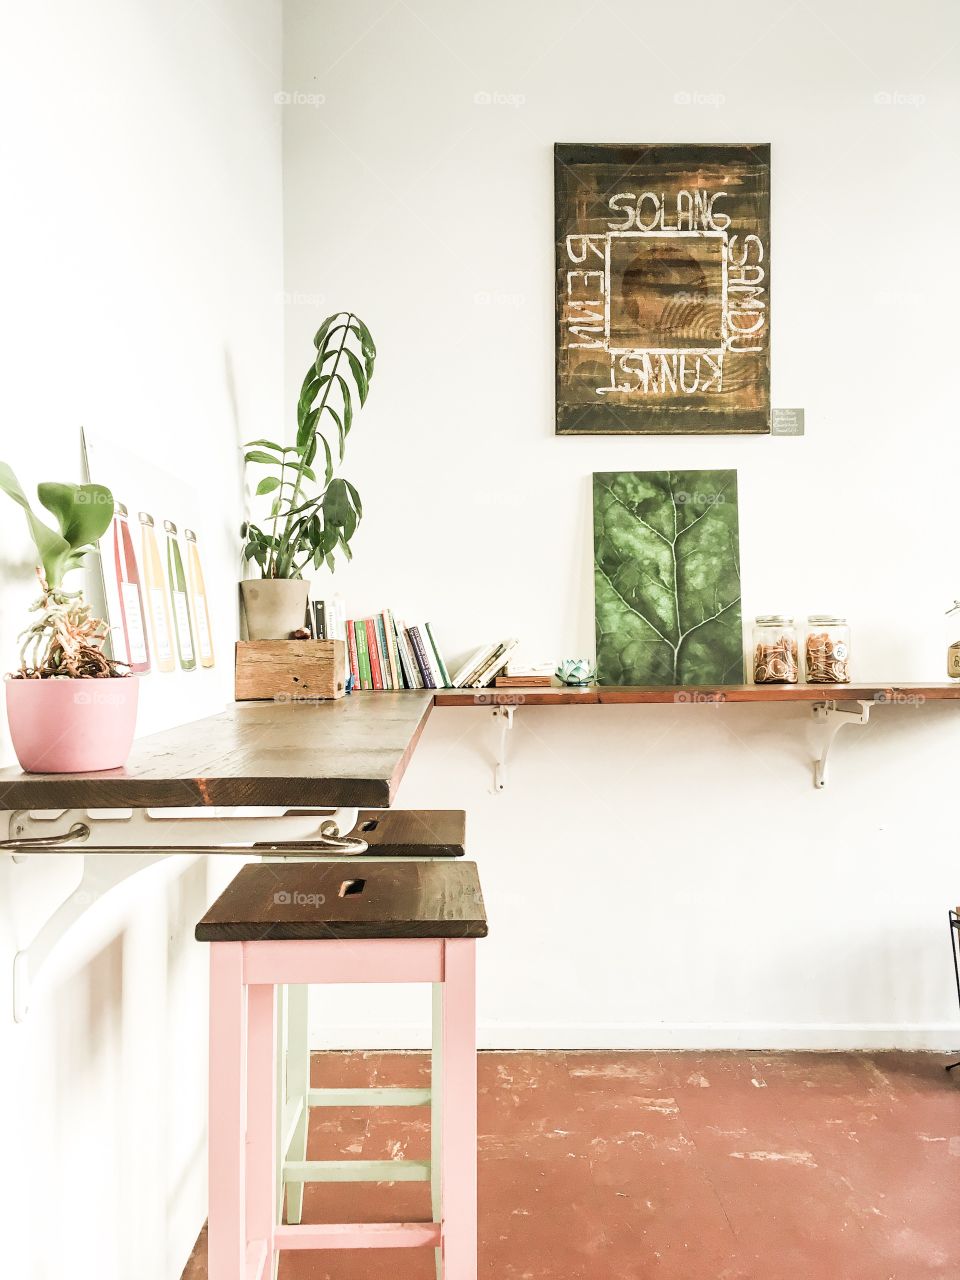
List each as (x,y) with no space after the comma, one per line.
(691,1167)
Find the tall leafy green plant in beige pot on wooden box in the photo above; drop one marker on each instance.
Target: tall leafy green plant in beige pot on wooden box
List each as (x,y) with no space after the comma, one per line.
(309,518)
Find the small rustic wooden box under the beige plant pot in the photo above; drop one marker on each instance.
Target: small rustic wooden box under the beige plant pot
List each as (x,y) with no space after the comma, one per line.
(289,670)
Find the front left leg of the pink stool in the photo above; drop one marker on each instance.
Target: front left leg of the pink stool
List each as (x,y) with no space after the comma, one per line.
(228,1054)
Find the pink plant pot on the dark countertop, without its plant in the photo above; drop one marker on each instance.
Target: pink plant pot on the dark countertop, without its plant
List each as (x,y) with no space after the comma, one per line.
(72,726)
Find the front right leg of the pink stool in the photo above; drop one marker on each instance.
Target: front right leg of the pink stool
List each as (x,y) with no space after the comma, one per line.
(459,1123)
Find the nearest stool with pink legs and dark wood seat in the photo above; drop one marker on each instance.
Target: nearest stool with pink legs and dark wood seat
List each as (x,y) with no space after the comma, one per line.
(339,922)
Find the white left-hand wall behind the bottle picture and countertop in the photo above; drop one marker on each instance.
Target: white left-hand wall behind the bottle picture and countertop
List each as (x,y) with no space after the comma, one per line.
(143,299)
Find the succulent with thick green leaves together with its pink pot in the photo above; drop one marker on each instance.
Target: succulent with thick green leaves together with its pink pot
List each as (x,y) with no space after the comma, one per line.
(71,710)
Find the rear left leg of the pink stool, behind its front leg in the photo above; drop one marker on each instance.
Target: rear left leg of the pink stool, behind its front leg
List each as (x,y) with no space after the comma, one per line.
(262,1131)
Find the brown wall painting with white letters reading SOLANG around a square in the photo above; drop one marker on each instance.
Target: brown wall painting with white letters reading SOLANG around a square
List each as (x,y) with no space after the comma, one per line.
(662,289)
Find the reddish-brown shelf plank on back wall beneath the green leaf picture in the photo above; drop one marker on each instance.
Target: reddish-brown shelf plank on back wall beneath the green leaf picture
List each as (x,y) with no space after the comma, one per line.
(666,694)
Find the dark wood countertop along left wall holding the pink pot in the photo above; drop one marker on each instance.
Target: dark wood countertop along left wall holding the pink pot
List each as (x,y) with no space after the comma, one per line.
(350,752)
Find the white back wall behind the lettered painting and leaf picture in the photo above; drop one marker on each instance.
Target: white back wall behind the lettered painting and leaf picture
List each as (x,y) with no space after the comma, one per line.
(655,876)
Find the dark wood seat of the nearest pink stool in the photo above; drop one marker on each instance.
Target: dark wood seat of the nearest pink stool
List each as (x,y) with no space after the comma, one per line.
(349,900)
